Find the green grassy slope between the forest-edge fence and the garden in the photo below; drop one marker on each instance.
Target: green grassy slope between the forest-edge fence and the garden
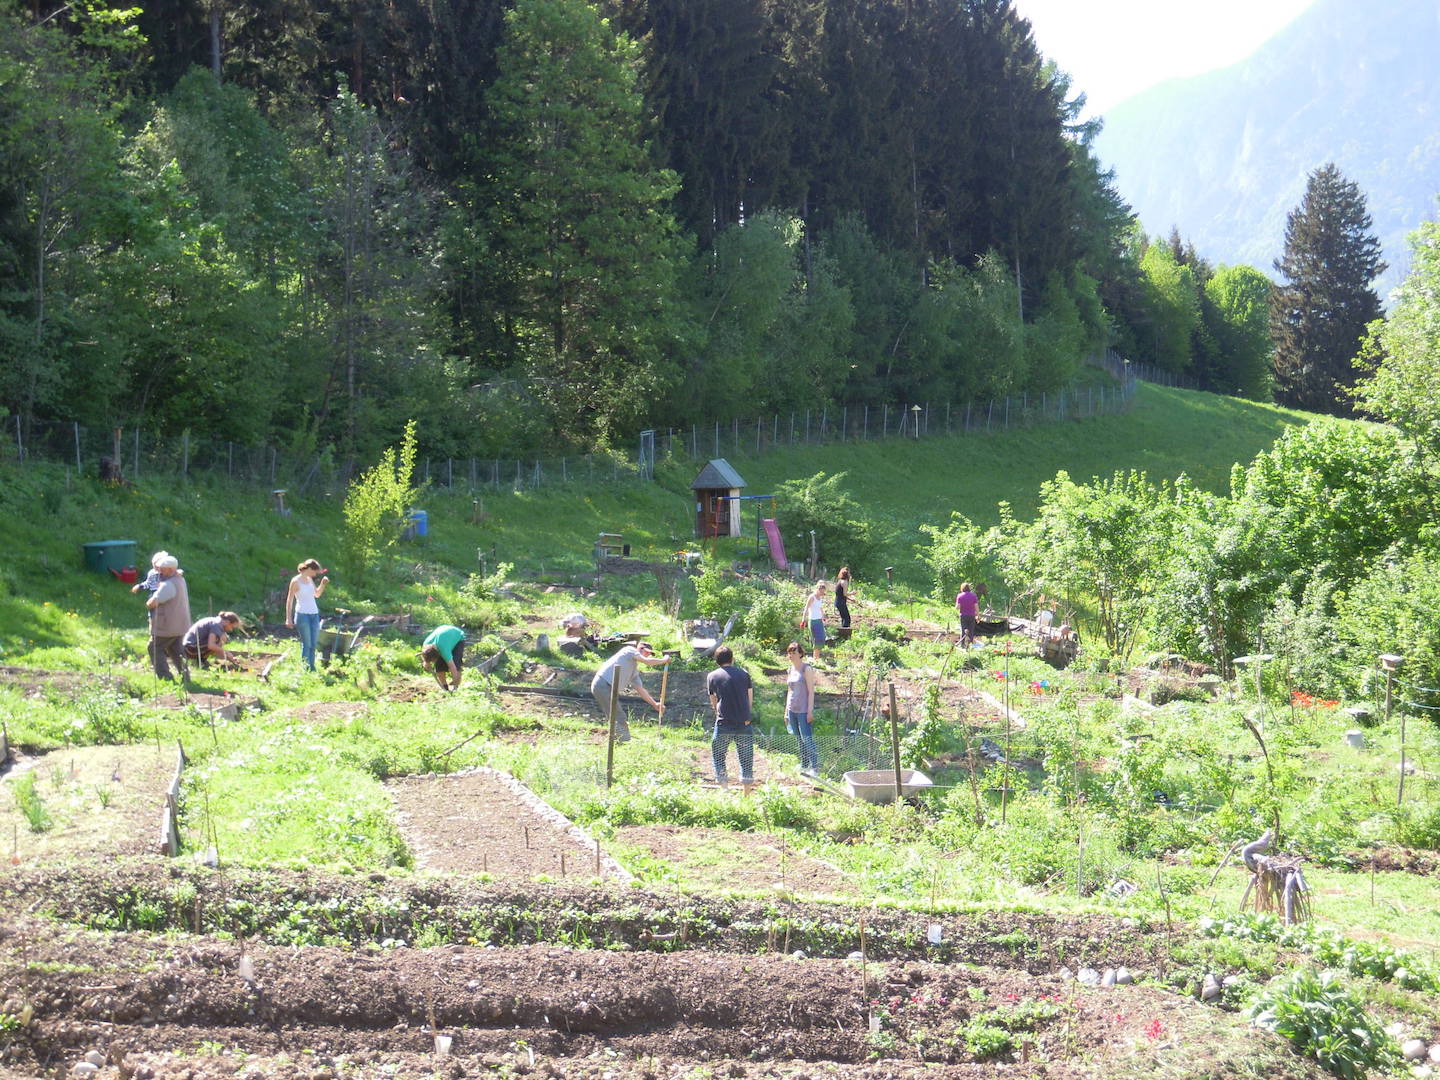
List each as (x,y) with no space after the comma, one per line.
(238,554)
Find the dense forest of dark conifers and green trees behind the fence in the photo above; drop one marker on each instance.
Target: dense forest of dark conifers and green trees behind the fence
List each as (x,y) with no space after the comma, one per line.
(549,222)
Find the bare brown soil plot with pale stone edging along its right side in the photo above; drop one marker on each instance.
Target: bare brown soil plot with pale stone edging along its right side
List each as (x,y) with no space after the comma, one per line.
(487,823)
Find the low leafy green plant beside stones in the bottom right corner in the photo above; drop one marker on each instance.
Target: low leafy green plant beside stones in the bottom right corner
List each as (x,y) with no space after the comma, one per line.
(1327,1022)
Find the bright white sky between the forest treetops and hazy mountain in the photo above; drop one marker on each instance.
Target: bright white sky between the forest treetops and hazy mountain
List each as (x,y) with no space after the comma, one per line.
(1118,48)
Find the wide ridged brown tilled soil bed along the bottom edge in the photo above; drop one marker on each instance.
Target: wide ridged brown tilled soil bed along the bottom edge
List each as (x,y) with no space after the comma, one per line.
(198,1009)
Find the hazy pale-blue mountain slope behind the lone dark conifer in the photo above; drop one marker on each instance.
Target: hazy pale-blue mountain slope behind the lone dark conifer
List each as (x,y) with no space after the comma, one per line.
(1225,156)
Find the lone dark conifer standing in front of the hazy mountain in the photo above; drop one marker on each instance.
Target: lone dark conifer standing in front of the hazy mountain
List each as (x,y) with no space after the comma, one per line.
(1321,312)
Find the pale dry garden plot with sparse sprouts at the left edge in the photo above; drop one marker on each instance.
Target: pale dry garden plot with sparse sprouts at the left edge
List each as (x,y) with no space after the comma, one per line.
(93,803)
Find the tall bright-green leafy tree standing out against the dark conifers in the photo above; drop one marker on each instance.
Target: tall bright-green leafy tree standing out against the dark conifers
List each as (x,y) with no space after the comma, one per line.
(581,218)
